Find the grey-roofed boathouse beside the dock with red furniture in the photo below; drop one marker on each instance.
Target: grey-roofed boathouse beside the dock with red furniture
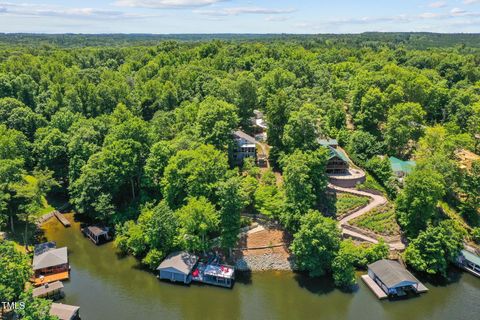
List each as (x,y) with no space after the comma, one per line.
(178,266)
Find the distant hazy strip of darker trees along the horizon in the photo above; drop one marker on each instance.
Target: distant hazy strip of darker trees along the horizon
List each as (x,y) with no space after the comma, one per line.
(413,40)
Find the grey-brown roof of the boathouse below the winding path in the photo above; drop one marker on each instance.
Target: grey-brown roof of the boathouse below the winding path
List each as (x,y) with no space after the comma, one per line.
(391,273)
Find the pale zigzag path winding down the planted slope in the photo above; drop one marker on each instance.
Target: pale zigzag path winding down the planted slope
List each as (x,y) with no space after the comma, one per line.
(377,201)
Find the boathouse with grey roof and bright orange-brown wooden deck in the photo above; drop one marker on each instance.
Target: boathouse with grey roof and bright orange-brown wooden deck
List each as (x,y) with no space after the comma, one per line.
(50,264)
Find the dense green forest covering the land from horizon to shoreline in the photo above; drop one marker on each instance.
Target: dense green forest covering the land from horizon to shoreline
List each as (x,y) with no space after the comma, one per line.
(135,133)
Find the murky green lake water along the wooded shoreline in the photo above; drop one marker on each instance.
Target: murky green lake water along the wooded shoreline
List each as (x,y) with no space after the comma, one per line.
(108,287)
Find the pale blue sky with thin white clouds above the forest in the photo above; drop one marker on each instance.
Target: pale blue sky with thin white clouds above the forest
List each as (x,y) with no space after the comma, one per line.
(238,16)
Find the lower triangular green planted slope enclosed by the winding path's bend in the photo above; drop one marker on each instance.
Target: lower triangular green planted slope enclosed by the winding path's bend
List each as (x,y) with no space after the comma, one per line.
(380,220)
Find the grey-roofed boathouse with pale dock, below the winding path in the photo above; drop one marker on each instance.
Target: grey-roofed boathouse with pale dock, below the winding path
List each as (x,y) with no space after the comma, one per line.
(393,278)
